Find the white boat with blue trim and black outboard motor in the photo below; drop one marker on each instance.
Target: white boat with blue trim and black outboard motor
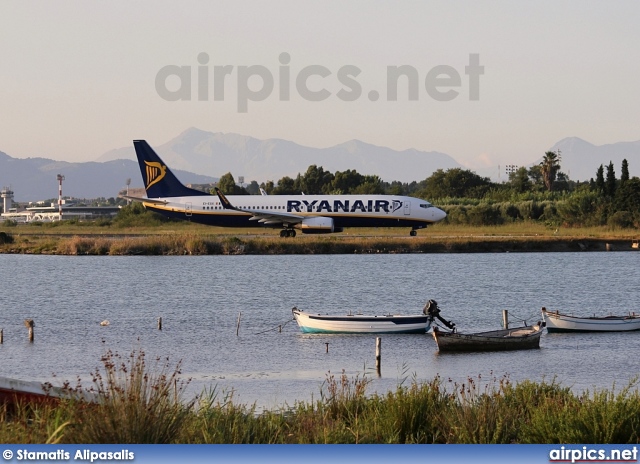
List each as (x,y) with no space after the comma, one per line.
(359,323)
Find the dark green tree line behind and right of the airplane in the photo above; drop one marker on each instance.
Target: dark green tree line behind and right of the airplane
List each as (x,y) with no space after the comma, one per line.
(539,193)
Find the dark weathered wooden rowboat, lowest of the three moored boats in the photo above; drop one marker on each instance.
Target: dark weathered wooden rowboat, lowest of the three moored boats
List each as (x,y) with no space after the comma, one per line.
(520,338)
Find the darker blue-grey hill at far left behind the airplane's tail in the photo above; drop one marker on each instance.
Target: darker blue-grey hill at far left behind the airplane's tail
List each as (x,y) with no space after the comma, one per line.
(34,179)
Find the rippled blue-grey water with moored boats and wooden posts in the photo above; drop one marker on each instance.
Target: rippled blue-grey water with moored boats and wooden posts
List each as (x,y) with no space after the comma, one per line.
(199,299)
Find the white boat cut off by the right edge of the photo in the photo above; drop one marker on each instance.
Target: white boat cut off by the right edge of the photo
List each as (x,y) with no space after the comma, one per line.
(558,322)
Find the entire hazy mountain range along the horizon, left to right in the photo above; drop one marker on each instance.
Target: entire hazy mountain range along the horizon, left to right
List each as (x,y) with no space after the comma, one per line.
(214,154)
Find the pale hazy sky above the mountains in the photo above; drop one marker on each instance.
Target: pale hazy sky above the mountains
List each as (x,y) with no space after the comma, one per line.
(79,78)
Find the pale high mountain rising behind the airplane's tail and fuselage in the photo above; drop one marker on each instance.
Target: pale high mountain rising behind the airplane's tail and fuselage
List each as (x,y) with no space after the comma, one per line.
(216,153)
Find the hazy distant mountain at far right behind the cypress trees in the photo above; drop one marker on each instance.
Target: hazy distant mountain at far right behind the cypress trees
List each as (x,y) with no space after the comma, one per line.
(581,159)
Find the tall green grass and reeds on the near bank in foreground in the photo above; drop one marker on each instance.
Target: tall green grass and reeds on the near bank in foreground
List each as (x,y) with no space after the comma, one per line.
(143,402)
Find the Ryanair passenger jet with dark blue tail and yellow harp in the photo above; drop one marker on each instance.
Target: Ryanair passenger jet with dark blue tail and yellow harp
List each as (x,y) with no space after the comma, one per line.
(311,214)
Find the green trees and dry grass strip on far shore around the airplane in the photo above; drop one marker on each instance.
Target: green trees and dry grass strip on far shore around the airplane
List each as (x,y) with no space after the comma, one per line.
(538,209)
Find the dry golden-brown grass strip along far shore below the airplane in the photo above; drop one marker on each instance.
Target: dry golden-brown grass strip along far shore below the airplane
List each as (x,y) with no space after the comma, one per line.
(183,238)
